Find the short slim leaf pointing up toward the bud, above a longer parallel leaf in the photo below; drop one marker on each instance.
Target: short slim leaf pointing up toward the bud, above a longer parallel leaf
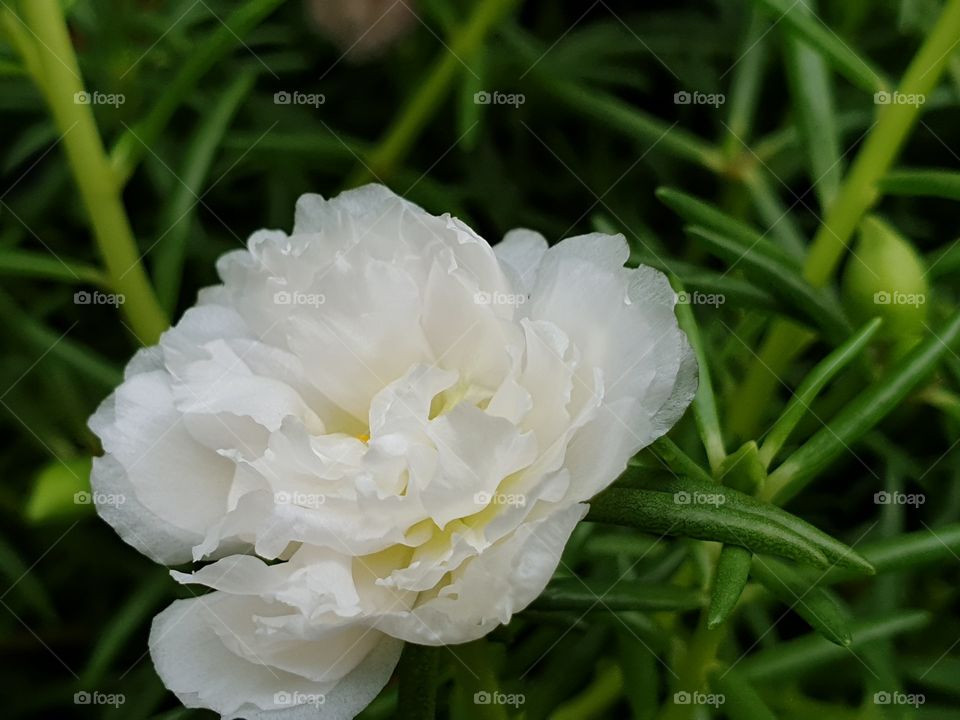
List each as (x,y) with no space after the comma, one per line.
(813,383)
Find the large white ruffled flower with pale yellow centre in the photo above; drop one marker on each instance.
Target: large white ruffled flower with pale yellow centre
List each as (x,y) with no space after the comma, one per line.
(377,429)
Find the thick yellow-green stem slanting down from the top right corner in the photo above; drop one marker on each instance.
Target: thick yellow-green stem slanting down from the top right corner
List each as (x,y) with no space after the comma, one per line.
(857,194)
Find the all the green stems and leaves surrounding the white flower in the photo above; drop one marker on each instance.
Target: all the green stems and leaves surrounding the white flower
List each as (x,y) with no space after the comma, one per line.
(754,202)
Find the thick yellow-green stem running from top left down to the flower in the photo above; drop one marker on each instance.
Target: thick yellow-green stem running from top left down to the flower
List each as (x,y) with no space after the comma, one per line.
(91,169)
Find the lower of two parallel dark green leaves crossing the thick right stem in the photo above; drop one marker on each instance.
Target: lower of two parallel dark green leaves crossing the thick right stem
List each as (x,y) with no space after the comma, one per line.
(767,266)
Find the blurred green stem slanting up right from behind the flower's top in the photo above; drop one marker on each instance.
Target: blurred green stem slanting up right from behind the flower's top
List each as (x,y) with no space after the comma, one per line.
(415,115)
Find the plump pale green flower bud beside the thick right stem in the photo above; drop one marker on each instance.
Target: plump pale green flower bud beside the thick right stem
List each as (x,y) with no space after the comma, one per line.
(885,277)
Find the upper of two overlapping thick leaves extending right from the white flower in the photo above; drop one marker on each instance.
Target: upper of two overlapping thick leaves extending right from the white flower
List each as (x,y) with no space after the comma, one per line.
(762,512)
